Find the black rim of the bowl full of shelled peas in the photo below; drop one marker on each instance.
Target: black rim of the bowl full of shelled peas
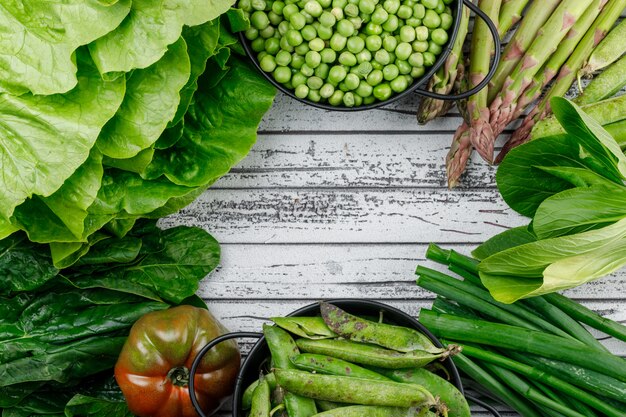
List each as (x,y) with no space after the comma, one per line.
(421,81)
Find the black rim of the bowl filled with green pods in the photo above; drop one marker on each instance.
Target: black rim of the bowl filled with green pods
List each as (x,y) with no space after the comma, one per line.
(340,302)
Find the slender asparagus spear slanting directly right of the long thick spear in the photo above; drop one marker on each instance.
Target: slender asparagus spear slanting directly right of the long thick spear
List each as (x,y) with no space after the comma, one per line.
(564,50)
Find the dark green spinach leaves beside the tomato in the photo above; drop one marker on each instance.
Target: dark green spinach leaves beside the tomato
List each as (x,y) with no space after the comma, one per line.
(61,330)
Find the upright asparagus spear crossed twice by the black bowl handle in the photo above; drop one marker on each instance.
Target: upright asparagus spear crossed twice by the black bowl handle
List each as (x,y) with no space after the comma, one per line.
(480,57)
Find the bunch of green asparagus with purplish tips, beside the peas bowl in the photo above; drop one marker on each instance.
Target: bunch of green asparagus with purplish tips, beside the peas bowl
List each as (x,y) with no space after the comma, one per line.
(550,46)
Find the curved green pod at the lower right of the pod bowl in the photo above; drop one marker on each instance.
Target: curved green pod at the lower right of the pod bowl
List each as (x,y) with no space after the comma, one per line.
(448,394)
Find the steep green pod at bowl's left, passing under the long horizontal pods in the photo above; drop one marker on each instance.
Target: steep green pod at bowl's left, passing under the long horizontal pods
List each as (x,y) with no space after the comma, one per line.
(282,347)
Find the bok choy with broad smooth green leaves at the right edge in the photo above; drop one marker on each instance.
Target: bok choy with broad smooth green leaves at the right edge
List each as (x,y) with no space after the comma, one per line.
(572,185)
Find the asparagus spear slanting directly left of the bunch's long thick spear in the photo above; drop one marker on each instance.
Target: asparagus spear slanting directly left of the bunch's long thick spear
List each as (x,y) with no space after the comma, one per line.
(536,16)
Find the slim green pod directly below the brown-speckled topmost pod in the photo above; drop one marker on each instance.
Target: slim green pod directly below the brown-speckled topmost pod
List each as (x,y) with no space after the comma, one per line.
(371,355)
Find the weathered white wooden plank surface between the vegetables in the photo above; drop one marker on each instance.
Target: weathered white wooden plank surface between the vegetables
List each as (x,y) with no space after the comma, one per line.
(343,205)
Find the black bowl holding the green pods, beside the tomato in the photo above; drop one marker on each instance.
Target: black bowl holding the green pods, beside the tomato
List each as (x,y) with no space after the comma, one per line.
(259,354)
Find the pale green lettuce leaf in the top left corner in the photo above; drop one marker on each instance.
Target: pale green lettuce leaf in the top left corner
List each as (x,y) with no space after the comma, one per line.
(38,40)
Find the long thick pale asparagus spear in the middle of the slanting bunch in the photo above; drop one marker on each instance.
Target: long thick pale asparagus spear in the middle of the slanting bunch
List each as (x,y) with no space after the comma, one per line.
(558,25)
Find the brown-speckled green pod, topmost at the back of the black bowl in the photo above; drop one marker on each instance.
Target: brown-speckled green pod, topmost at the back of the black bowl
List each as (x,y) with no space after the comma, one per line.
(402,339)
